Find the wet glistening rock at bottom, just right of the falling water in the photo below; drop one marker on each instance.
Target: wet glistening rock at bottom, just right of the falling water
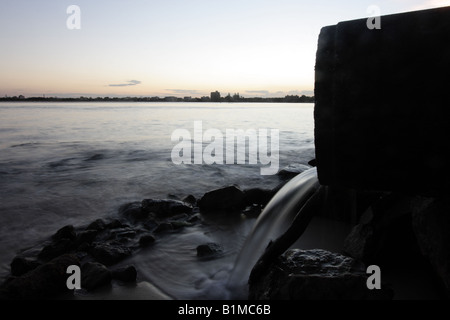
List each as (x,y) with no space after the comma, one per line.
(315,275)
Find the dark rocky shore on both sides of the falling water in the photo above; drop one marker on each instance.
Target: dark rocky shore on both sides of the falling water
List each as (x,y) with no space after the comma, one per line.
(391,230)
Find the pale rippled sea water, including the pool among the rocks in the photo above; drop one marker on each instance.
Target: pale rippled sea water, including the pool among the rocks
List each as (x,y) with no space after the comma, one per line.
(71,163)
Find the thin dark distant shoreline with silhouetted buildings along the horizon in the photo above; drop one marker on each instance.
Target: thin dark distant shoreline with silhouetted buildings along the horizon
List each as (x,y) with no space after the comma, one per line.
(227,99)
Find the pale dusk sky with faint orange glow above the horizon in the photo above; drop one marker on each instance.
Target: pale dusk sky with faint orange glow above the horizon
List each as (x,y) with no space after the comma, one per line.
(170,48)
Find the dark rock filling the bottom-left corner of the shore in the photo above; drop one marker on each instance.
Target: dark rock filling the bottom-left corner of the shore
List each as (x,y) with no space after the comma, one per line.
(45,281)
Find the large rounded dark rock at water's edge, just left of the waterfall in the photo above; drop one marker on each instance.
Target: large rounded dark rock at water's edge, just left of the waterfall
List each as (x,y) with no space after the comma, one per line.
(227,198)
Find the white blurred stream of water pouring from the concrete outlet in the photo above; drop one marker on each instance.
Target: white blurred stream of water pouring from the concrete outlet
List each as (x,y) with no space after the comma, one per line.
(273,221)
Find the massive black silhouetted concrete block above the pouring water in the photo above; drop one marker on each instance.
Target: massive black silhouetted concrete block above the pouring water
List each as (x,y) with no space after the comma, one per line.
(382,113)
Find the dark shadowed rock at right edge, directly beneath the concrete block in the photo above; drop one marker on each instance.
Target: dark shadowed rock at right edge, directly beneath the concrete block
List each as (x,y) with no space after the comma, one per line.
(431,225)
